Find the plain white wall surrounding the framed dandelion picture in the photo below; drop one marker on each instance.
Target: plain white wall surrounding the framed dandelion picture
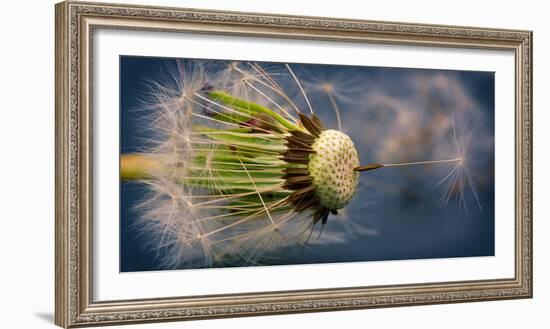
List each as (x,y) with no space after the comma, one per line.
(27,163)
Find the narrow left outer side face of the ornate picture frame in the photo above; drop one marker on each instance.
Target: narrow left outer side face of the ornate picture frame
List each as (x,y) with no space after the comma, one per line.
(61,168)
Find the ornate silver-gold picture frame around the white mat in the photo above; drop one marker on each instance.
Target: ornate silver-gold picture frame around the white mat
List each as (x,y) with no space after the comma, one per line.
(76,303)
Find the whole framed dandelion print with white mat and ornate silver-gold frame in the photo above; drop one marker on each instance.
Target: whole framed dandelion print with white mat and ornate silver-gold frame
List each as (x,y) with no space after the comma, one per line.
(215,164)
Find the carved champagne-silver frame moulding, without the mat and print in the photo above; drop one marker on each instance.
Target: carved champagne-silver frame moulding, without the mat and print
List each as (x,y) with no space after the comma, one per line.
(73,309)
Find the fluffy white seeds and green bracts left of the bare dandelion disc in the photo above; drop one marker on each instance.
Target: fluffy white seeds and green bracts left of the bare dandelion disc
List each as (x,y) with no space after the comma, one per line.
(222,191)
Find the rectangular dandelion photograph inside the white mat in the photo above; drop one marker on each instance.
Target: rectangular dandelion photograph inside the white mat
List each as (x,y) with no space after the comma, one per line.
(229,163)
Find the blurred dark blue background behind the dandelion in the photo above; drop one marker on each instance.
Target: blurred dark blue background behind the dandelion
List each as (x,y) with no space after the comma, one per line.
(392,115)
